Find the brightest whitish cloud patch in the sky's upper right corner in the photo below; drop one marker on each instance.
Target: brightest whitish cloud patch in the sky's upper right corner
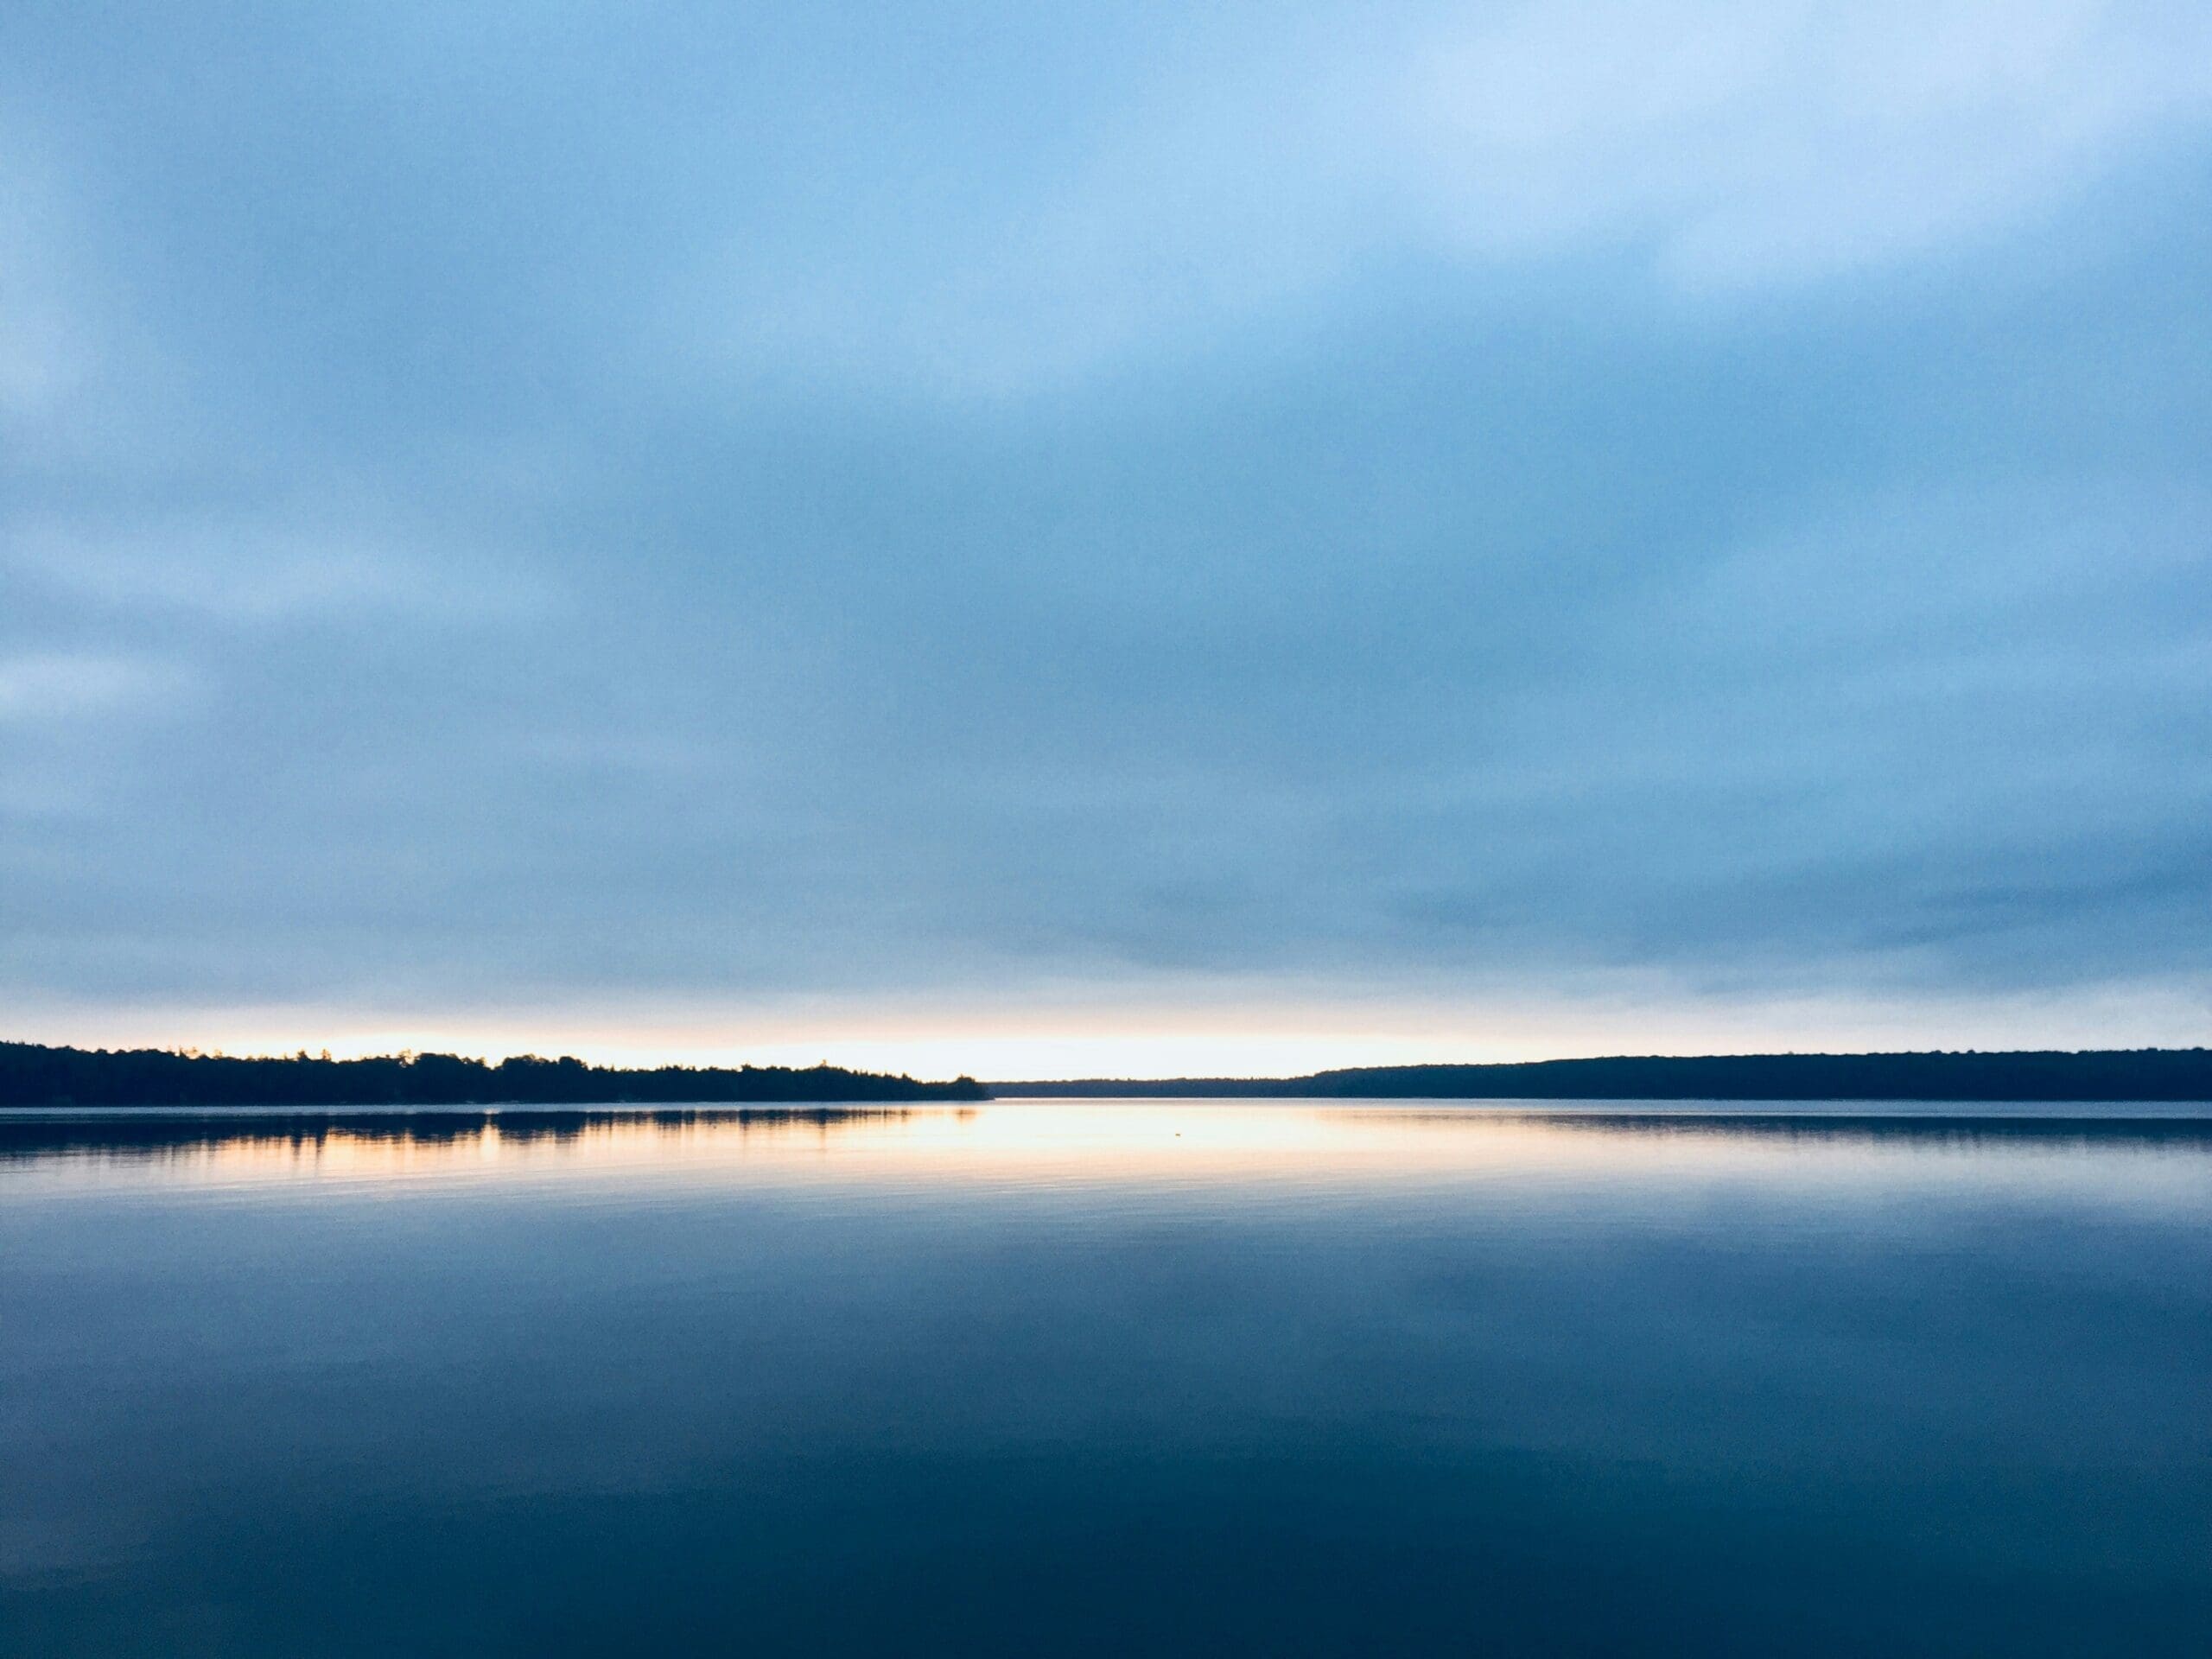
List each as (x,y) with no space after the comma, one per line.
(1788,143)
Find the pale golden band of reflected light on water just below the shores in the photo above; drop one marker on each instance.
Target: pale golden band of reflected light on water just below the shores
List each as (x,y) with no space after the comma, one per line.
(1087,1145)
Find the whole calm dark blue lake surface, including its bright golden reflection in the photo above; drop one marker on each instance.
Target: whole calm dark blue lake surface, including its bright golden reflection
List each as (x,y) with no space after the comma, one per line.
(1107,1379)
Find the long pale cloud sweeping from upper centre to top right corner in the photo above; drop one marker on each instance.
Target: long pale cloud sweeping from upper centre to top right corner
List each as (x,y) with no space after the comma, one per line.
(1713,149)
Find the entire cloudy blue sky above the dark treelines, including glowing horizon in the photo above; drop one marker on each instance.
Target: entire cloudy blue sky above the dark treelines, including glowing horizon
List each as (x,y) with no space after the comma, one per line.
(1107,541)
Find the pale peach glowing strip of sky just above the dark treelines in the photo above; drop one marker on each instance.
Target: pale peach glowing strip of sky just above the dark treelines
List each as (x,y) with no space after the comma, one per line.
(1083,1041)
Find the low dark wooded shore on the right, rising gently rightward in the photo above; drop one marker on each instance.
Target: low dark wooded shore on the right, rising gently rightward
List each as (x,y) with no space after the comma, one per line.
(2041,1076)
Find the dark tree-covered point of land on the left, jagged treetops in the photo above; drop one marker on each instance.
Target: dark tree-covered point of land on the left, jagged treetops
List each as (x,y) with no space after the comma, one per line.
(39,1076)
